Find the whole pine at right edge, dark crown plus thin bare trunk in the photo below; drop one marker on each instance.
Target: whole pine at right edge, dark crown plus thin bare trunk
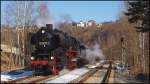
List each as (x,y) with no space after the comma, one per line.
(138,12)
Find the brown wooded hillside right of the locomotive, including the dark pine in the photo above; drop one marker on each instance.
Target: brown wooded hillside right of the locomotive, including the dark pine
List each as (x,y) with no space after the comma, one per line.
(126,40)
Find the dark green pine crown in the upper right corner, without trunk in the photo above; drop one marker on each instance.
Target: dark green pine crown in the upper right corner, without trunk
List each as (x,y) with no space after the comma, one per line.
(138,12)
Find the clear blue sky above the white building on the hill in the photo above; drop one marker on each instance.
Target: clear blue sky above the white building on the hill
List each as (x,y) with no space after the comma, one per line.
(100,11)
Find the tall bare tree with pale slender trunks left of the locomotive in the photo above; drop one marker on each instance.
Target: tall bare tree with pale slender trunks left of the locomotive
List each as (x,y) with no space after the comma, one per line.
(22,18)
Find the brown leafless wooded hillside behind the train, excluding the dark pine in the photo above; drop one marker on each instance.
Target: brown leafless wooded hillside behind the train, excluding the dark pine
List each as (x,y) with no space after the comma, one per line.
(118,40)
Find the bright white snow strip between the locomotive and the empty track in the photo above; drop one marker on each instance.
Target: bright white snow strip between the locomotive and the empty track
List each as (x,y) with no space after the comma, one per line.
(70,76)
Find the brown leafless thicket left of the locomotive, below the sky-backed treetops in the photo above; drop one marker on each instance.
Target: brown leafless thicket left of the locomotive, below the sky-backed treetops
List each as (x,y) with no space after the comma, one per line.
(20,39)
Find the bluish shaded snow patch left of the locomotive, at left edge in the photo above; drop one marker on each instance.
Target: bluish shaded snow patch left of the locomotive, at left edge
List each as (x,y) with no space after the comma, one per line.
(6,76)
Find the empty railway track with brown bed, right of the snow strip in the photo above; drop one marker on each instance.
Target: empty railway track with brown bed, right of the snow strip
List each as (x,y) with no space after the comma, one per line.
(98,75)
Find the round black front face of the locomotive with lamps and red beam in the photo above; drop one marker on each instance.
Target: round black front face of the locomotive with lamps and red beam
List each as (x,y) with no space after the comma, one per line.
(43,42)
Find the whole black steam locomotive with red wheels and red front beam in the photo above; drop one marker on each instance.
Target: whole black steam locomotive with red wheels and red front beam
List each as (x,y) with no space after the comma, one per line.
(54,50)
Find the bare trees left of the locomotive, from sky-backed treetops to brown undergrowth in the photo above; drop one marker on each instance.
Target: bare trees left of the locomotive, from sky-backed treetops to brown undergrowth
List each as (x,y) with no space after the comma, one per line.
(18,20)
